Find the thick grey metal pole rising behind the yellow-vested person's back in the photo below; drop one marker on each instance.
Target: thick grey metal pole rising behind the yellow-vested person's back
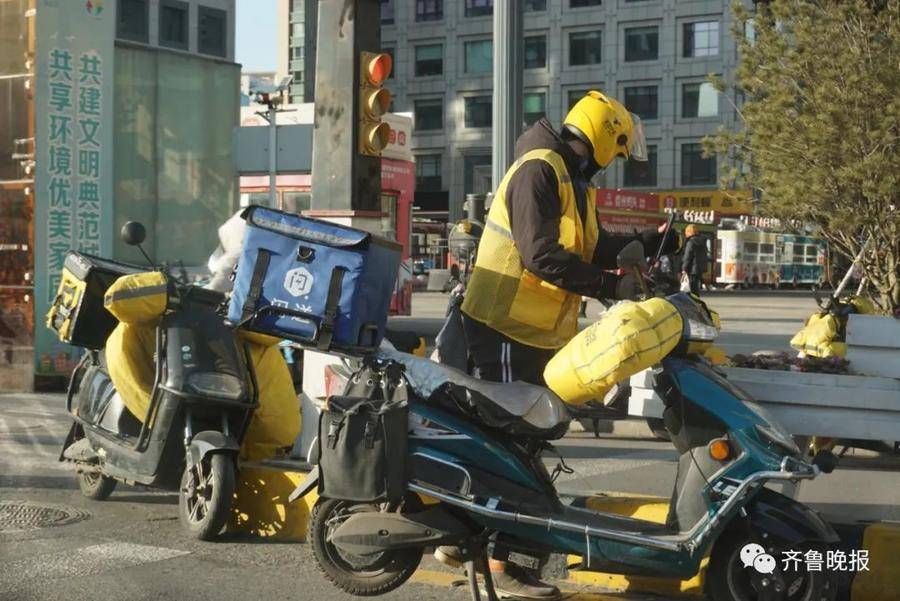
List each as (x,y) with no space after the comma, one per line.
(509,51)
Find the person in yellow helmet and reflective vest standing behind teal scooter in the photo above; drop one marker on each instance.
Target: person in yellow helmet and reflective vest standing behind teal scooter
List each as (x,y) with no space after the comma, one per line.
(541,251)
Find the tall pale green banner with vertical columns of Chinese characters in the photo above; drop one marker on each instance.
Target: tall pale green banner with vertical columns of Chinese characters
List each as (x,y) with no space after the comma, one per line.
(74,121)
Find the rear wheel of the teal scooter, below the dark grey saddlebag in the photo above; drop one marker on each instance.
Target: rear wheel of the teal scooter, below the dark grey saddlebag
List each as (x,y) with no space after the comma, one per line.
(362,576)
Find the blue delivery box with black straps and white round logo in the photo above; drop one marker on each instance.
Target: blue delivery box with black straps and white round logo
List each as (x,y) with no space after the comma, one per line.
(318,283)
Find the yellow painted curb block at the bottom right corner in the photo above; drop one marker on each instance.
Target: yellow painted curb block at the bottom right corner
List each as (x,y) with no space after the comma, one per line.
(882,580)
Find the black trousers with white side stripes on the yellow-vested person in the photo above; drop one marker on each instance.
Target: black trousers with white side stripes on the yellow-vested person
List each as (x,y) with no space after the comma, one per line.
(499,358)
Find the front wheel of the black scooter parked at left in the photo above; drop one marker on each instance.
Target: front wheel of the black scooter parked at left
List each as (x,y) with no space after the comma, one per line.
(205,495)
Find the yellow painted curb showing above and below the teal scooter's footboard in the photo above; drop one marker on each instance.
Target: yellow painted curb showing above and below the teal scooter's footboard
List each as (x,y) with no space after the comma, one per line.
(651,509)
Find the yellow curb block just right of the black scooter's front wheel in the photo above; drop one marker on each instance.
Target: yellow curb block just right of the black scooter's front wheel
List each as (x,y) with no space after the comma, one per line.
(260,506)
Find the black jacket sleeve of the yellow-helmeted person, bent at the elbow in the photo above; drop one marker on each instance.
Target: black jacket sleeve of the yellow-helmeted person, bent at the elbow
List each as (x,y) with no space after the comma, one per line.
(532,197)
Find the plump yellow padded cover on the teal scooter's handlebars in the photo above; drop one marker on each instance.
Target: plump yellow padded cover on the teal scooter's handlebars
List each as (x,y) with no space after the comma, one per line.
(628,338)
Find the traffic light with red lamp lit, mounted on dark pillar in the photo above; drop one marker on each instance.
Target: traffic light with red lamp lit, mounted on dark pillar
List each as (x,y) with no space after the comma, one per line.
(374,101)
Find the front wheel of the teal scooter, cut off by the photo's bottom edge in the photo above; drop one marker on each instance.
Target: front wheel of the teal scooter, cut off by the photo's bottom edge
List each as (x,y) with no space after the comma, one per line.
(728,579)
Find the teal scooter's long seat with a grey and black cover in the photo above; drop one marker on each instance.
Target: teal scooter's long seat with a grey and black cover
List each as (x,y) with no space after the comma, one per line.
(517,408)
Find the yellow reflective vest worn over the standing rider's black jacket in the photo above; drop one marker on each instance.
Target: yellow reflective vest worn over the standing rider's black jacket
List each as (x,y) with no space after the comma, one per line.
(510,299)
